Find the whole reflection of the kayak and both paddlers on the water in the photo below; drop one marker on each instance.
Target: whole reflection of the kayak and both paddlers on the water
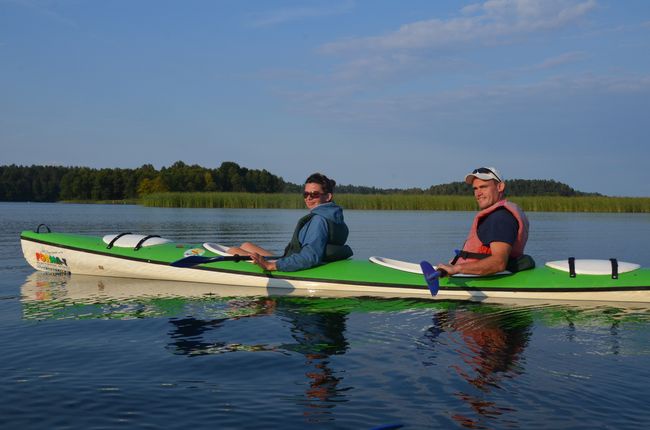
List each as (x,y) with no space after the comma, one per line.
(475,352)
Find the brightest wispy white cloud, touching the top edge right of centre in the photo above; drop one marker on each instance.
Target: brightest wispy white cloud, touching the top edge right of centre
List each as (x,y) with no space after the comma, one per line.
(433,45)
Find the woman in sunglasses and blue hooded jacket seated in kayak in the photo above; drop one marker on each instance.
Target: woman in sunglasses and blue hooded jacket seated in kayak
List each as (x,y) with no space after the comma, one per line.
(319,236)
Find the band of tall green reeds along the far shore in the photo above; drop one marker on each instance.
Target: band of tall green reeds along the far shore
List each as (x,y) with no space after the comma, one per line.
(395,202)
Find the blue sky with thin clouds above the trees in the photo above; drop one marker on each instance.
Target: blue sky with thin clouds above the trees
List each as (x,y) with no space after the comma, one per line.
(373,92)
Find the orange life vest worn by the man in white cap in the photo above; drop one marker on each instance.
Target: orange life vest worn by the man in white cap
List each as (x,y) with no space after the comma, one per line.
(473,244)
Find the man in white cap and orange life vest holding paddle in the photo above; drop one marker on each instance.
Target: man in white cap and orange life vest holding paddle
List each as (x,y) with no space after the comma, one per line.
(499,232)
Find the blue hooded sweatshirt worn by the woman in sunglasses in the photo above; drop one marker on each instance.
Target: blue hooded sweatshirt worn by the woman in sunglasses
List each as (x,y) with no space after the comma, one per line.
(313,238)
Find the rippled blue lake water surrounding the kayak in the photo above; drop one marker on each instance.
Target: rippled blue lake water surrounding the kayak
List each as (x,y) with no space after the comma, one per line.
(101,353)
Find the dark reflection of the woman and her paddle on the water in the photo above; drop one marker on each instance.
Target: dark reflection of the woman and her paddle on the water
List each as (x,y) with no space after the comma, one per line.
(317,336)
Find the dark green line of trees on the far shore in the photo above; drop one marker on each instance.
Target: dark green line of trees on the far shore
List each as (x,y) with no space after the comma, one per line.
(54,183)
